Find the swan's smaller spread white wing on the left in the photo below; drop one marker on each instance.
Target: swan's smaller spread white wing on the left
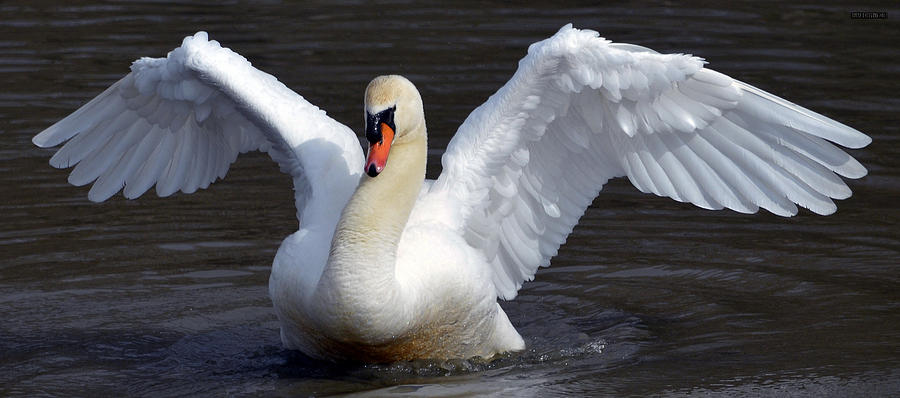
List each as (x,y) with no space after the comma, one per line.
(179,122)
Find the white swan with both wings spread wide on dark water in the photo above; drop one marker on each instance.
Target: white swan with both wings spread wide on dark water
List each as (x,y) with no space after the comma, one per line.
(384,267)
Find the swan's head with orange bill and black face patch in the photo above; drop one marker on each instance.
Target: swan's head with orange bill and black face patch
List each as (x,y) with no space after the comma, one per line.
(394,115)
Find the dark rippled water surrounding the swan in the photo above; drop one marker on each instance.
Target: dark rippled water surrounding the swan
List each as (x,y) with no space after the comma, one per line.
(167,297)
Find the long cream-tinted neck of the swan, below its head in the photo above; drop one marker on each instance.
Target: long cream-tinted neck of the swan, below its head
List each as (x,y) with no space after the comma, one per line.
(364,248)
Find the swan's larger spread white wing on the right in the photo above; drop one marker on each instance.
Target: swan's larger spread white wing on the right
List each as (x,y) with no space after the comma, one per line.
(580,110)
